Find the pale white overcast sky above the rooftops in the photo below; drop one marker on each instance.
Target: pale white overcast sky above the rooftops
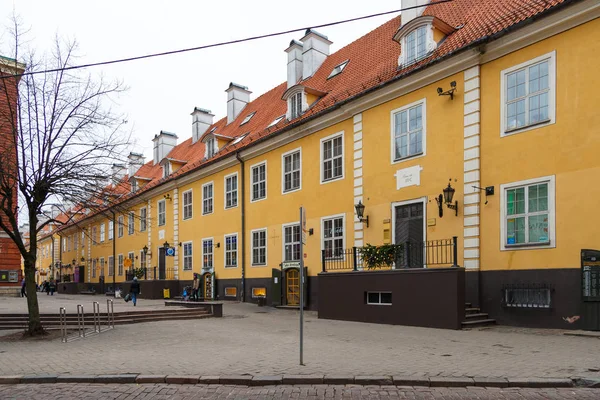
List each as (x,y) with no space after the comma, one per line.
(163,91)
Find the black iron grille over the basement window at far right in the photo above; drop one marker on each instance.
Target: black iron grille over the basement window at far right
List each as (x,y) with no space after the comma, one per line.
(527,295)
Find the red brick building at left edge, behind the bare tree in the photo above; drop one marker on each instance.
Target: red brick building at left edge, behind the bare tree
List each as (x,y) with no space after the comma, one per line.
(10,258)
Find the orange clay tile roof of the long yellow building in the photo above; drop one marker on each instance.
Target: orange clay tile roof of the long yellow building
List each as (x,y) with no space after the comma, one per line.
(373,62)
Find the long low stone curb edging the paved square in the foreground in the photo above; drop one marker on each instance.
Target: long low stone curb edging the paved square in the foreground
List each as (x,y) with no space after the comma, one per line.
(250,380)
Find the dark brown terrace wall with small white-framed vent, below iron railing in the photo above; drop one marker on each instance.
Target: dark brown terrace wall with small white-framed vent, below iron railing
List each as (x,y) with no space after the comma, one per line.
(433,298)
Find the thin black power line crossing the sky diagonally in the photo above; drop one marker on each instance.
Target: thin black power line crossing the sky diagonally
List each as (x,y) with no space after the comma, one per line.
(167,53)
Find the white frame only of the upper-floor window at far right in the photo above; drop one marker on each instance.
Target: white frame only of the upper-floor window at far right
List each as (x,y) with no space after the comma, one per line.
(551,57)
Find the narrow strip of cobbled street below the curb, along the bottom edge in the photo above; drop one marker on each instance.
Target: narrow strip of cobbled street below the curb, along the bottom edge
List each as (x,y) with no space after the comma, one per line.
(162,391)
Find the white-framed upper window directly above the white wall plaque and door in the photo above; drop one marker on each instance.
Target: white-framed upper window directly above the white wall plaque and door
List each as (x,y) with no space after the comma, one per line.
(408,131)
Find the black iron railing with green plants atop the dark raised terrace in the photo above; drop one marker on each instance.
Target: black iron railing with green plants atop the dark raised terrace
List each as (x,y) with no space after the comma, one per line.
(393,256)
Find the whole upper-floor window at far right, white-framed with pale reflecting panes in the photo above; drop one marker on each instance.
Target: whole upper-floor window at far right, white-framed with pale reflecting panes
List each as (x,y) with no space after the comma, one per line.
(528,97)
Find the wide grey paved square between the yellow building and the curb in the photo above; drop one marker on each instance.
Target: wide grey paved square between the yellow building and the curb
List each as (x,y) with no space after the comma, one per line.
(264,341)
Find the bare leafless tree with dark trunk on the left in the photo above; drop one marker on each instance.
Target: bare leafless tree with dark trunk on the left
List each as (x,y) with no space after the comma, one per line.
(63,137)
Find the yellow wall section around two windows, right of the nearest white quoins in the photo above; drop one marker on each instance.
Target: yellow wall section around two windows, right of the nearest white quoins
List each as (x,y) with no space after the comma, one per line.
(567,149)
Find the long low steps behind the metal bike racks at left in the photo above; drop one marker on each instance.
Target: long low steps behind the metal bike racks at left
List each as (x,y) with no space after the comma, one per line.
(52,321)
